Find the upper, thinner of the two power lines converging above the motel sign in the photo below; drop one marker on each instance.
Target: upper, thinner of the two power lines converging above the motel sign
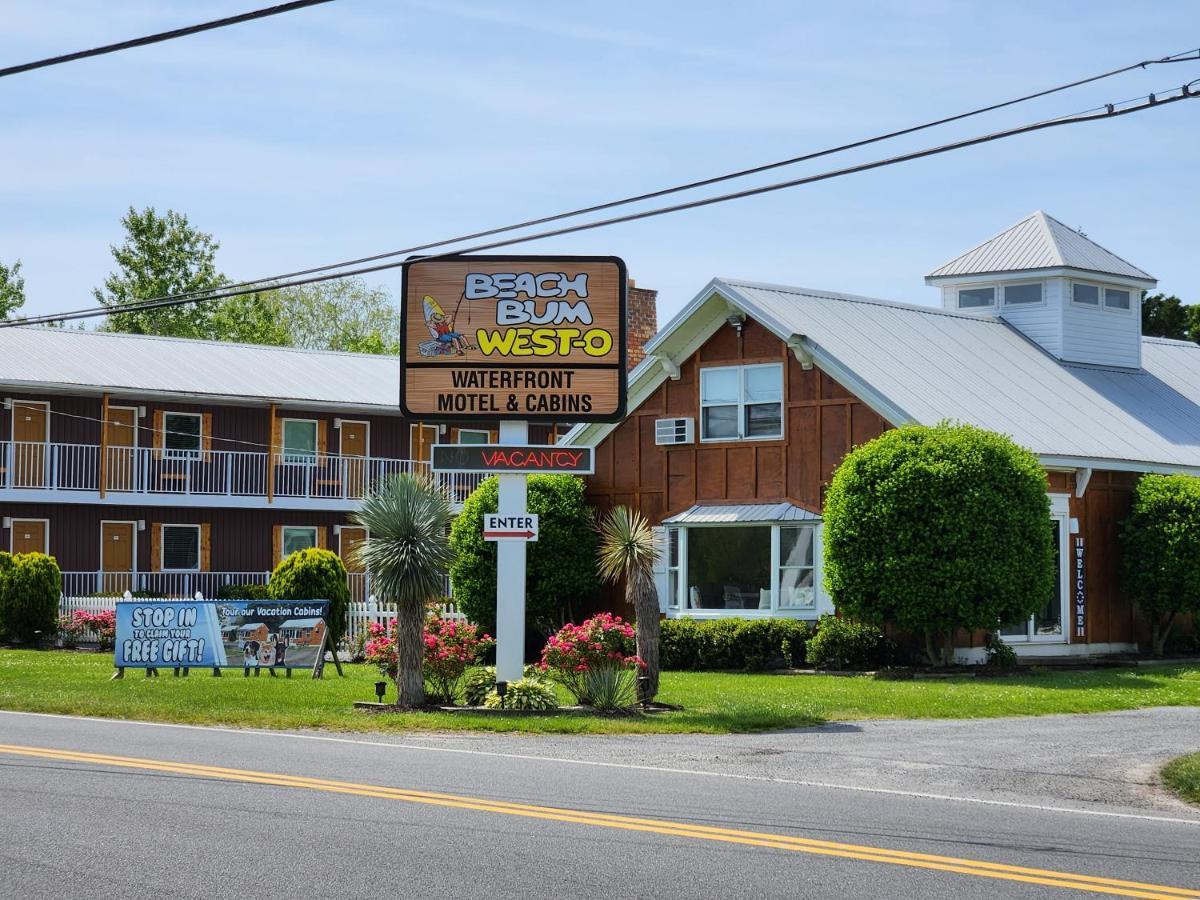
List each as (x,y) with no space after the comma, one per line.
(269,283)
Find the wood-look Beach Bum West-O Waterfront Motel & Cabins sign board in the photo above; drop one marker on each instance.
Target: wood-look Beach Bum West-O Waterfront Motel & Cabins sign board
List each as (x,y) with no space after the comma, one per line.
(536,339)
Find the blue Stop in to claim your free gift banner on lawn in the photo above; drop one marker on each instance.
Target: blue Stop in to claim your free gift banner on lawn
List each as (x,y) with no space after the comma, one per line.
(220,634)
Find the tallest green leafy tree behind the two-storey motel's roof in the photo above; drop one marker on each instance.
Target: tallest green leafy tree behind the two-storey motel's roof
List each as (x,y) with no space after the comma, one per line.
(161,256)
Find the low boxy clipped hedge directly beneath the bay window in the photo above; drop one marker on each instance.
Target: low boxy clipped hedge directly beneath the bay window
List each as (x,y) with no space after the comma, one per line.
(748,645)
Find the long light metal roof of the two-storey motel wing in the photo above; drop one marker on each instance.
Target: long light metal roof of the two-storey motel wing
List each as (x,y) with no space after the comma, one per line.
(62,358)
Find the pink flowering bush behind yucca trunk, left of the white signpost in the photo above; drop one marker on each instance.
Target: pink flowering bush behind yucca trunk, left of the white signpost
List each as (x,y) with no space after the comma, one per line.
(451,650)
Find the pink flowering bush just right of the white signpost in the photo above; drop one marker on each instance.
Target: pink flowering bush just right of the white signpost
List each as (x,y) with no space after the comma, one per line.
(601,651)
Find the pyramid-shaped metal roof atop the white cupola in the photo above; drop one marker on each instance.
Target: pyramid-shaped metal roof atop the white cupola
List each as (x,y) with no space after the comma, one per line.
(1039,242)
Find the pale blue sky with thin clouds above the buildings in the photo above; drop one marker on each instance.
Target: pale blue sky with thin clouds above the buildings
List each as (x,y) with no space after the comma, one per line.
(364,127)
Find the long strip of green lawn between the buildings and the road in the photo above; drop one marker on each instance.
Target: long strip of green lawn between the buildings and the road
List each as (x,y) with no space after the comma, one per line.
(57,682)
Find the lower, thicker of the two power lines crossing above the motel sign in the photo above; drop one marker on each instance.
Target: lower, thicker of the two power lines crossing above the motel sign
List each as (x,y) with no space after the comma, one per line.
(1107,112)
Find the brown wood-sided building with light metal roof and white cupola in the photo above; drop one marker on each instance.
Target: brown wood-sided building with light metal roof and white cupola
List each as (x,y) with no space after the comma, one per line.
(749,398)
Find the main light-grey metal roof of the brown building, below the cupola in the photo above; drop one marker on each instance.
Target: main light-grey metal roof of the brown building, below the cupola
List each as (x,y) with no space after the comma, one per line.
(915,364)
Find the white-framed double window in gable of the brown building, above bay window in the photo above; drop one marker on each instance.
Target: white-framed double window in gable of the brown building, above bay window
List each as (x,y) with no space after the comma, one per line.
(742,403)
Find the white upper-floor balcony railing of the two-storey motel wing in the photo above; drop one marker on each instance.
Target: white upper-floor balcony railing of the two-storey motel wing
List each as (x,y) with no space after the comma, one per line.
(124,471)
